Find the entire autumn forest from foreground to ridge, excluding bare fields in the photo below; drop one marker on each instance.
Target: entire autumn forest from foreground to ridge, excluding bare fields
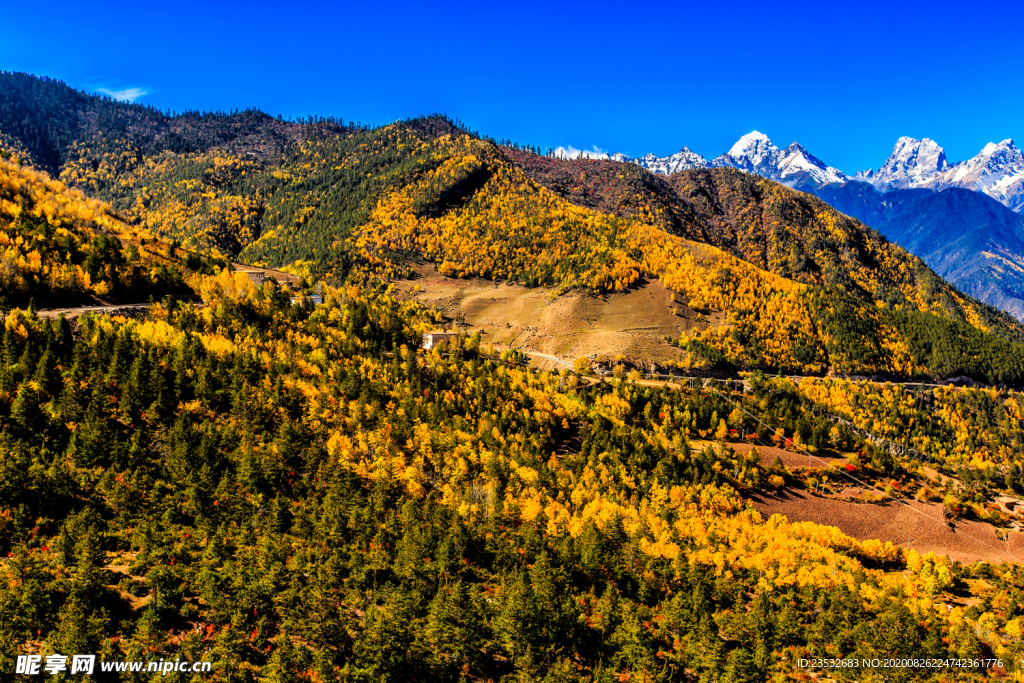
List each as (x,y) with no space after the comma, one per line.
(302,494)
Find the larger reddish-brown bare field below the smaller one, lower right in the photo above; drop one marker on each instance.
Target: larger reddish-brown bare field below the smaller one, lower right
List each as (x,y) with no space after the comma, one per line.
(921,524)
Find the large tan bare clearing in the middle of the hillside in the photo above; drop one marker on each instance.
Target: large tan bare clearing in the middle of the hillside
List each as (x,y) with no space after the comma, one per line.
(632,324)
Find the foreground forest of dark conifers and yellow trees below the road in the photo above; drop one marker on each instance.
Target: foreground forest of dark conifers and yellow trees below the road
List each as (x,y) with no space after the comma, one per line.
(296,495)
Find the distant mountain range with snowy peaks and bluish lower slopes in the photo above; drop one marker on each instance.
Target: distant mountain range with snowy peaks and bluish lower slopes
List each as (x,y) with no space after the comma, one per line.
(973,237)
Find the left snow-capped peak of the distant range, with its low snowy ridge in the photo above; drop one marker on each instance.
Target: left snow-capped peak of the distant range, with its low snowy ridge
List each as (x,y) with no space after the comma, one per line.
(753,153)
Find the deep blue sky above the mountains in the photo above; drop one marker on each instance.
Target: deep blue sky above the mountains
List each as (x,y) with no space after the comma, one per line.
(843,79)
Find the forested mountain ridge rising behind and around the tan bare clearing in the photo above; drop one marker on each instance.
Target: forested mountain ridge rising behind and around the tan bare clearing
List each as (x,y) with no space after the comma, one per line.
(801,287)
